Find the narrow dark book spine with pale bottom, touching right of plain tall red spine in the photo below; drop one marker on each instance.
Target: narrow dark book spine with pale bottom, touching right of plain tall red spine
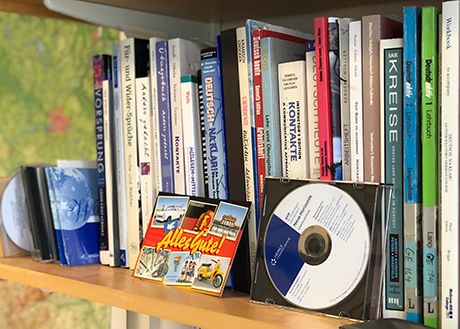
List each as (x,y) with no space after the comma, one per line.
(334,80)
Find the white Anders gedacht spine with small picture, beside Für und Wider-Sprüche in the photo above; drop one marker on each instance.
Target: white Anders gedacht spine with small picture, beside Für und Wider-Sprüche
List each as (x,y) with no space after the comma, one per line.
(144,138)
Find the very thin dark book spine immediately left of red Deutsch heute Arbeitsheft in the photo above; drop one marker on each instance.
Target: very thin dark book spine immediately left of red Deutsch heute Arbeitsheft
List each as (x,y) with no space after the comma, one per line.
(252,25)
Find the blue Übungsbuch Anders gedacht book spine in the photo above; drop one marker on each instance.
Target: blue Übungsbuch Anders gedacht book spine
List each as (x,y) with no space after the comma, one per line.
(164,117)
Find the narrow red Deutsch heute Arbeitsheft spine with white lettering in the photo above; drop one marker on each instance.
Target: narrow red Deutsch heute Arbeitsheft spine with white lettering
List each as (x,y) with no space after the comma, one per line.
(258,107)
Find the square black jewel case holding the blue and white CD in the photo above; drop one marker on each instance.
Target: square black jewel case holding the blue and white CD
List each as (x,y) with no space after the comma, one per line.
(320,247)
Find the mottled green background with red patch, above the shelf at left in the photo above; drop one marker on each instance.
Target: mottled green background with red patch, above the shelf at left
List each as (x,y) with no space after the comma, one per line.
(46,92)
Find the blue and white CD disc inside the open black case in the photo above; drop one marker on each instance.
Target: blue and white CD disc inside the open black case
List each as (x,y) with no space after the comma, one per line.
(316,246)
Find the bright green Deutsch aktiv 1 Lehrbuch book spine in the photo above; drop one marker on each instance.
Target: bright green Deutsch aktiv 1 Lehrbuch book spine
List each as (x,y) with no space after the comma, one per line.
(430,149)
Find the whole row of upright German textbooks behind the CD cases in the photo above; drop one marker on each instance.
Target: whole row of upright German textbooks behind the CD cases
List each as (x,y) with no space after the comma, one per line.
(353,101)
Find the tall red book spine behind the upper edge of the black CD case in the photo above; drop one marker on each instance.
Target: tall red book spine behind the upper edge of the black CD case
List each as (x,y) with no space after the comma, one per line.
(324,97)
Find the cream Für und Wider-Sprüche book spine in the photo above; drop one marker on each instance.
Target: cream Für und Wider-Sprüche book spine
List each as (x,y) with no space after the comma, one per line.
(131,173)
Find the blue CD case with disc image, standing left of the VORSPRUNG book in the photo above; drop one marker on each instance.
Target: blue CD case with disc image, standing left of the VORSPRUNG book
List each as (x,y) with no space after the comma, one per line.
(75,208)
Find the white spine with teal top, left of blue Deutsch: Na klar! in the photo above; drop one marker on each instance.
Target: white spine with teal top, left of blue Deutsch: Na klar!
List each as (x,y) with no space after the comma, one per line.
(194,180)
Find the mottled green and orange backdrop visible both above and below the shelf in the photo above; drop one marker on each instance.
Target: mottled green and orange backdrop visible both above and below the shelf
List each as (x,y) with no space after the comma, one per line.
(46,113)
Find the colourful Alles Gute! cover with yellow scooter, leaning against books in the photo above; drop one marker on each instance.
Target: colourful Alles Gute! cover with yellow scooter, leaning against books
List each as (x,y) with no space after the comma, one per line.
(191,242)
